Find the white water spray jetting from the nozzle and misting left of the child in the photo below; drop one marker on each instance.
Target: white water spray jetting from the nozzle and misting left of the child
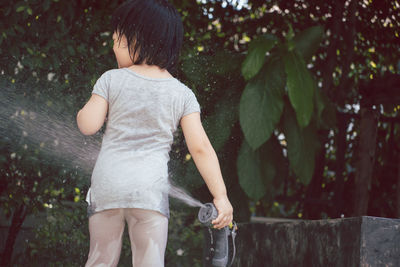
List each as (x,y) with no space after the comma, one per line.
(45,123)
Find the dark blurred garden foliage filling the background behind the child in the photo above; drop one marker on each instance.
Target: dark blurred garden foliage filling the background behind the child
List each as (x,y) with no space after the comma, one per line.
(300,99)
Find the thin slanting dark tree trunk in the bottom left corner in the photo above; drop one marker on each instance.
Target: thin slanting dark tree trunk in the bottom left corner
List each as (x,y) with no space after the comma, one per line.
(16,223)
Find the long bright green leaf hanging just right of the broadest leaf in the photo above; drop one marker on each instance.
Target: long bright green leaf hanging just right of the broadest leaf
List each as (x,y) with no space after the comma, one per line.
(301,87)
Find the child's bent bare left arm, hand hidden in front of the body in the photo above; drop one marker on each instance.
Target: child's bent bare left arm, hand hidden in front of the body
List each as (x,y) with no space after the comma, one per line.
(92,116)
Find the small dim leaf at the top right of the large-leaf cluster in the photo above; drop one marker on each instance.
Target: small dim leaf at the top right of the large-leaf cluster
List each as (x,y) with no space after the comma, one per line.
(307,42)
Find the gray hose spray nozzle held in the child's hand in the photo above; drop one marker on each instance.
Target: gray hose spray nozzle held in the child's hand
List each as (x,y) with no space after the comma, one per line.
(219,250)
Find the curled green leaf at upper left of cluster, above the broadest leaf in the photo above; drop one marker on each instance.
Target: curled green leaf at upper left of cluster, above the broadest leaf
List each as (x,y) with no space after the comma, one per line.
(256,55)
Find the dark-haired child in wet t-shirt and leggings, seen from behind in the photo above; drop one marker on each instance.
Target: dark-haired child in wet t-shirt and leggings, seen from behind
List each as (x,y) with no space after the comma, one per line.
(145,105)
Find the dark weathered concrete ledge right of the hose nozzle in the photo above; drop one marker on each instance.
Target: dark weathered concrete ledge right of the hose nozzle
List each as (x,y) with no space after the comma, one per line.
(359,241)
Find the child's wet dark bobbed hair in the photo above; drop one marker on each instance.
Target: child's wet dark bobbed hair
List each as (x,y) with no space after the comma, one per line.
(153,29)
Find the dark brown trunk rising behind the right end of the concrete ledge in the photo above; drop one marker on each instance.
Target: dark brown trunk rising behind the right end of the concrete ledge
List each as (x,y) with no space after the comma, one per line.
(366,159)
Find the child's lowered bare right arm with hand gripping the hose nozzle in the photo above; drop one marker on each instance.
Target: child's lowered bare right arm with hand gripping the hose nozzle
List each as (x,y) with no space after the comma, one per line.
(207,163)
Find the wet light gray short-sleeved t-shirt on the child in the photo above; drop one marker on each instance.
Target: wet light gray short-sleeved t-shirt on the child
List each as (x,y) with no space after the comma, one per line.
(131,170)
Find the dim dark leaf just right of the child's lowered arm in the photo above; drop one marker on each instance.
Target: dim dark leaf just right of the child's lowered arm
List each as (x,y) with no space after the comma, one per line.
(218,126)
